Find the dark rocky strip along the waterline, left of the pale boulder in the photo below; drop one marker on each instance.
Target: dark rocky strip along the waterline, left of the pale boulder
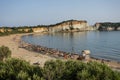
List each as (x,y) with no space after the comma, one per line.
(50,51)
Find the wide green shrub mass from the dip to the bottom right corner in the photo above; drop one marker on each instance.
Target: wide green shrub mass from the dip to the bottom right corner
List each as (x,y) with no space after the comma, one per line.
(76,70)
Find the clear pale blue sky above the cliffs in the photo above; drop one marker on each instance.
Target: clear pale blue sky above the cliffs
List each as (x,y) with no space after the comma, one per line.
(45,12)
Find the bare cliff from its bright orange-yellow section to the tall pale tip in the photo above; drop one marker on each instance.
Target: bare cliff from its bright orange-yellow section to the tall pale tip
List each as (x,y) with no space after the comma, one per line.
(70,25)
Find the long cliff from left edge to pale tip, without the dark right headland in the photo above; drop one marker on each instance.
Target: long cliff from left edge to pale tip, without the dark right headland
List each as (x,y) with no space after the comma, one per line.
(70,25)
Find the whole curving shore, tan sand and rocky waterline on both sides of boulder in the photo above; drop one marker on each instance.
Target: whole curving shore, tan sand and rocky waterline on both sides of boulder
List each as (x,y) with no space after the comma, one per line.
(34,56)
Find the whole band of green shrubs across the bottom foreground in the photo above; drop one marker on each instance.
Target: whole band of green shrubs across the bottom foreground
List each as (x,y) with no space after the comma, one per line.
(16,69)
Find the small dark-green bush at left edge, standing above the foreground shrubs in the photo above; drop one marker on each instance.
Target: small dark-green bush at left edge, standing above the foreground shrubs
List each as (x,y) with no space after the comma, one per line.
(4,52)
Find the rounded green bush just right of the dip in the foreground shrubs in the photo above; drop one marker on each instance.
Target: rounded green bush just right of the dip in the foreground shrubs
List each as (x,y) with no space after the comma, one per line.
(53,70)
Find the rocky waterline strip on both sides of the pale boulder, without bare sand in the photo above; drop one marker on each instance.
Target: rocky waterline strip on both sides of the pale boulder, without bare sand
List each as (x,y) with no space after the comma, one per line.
(65,55)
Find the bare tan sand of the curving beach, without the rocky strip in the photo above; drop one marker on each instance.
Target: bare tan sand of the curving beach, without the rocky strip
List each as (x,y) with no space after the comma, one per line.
(12,41)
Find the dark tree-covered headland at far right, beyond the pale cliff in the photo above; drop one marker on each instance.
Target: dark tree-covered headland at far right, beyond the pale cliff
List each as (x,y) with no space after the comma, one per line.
(108,26)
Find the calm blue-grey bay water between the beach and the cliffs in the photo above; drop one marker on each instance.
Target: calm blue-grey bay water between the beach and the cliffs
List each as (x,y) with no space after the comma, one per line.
(102,44)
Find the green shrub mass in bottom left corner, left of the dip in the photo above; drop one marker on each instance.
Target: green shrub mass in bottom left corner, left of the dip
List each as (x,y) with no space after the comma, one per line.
(15,69)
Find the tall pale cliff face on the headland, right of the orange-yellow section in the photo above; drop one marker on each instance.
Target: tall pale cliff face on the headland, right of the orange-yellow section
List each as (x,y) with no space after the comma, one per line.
(72,25)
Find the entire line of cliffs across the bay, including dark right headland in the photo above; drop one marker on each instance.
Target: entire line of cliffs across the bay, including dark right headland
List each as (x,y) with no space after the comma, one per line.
(65,26)
